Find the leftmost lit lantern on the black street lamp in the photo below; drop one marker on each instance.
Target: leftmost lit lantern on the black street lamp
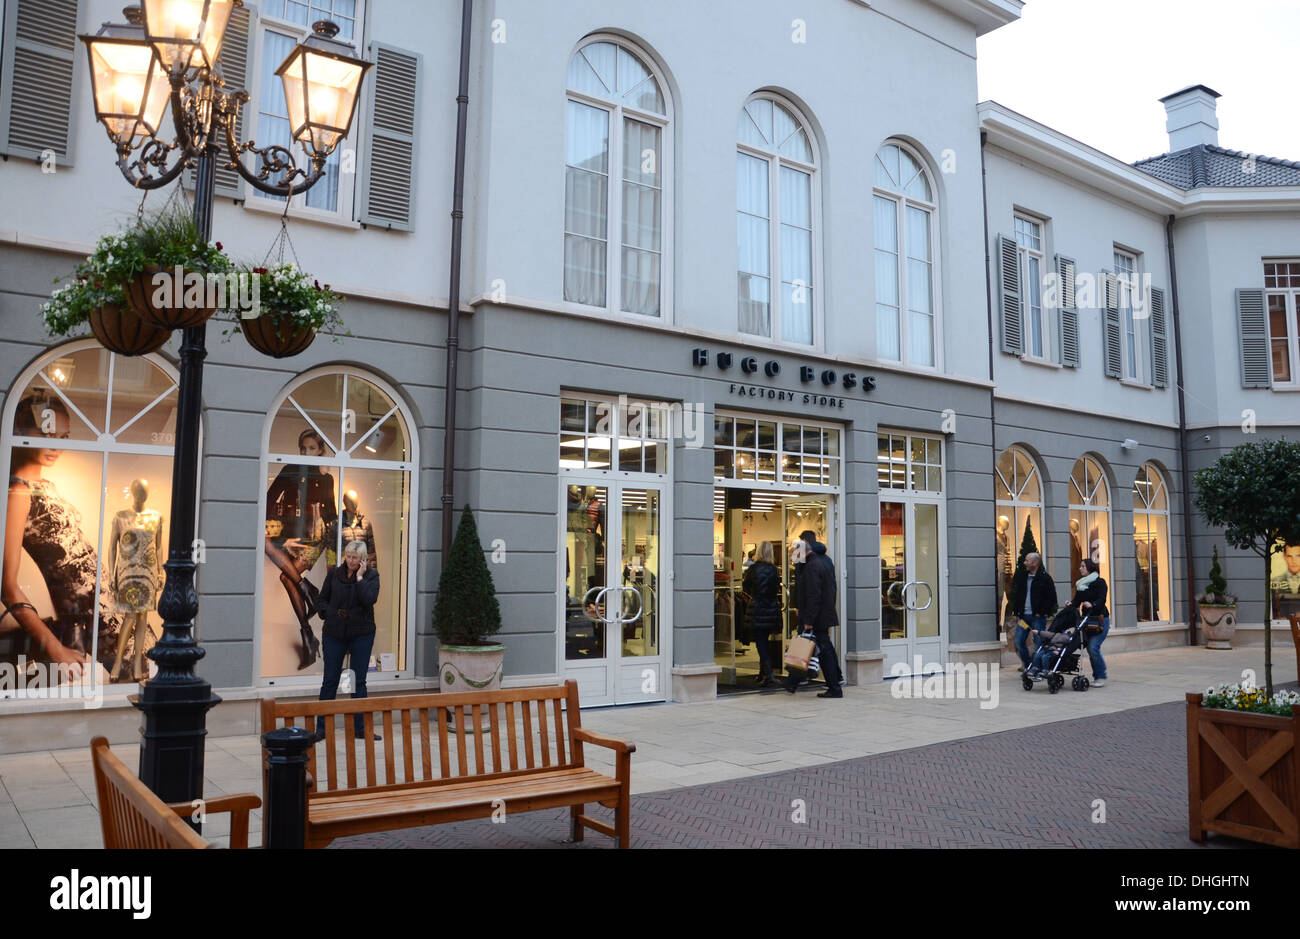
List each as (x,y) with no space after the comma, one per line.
(129,84)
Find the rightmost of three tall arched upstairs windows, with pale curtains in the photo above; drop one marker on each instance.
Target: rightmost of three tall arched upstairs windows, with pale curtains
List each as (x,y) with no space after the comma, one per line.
(904,207)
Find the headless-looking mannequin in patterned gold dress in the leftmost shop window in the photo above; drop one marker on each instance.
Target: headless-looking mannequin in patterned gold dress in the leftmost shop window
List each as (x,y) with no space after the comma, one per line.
(135,555)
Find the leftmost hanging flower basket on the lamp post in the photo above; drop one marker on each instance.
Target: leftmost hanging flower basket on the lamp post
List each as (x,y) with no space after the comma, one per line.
(94,298)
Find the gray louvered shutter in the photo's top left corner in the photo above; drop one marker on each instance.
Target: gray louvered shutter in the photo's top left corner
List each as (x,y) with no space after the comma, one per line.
(38,86)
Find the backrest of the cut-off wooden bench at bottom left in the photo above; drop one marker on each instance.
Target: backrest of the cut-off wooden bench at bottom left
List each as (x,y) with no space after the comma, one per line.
(129,813)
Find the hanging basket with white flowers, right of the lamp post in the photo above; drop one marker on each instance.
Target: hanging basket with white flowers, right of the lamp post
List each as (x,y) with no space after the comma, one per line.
(289,309)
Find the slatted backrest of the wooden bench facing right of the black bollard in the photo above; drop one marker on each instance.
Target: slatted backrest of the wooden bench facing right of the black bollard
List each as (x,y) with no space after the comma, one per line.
(435,737)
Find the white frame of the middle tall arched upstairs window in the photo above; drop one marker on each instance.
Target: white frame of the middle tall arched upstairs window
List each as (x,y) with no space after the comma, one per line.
(775,161)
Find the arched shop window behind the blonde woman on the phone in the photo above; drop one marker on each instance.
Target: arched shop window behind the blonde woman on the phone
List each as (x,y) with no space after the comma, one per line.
(339,461)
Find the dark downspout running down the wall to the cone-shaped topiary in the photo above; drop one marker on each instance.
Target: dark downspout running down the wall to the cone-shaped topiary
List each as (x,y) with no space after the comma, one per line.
(458,204)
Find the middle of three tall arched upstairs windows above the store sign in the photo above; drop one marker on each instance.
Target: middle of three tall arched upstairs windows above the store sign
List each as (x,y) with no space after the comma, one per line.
(775,222)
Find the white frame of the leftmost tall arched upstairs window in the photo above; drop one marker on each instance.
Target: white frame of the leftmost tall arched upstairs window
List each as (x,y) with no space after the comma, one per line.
(618,111)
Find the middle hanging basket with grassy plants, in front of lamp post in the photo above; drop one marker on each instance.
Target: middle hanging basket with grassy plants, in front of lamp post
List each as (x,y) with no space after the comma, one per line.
(172,278)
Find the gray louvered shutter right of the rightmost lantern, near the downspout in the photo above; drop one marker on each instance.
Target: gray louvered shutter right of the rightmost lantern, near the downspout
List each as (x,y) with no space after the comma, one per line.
(388,181)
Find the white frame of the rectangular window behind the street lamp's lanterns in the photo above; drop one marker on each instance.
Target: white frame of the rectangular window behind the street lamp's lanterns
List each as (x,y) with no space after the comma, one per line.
(298,207)
